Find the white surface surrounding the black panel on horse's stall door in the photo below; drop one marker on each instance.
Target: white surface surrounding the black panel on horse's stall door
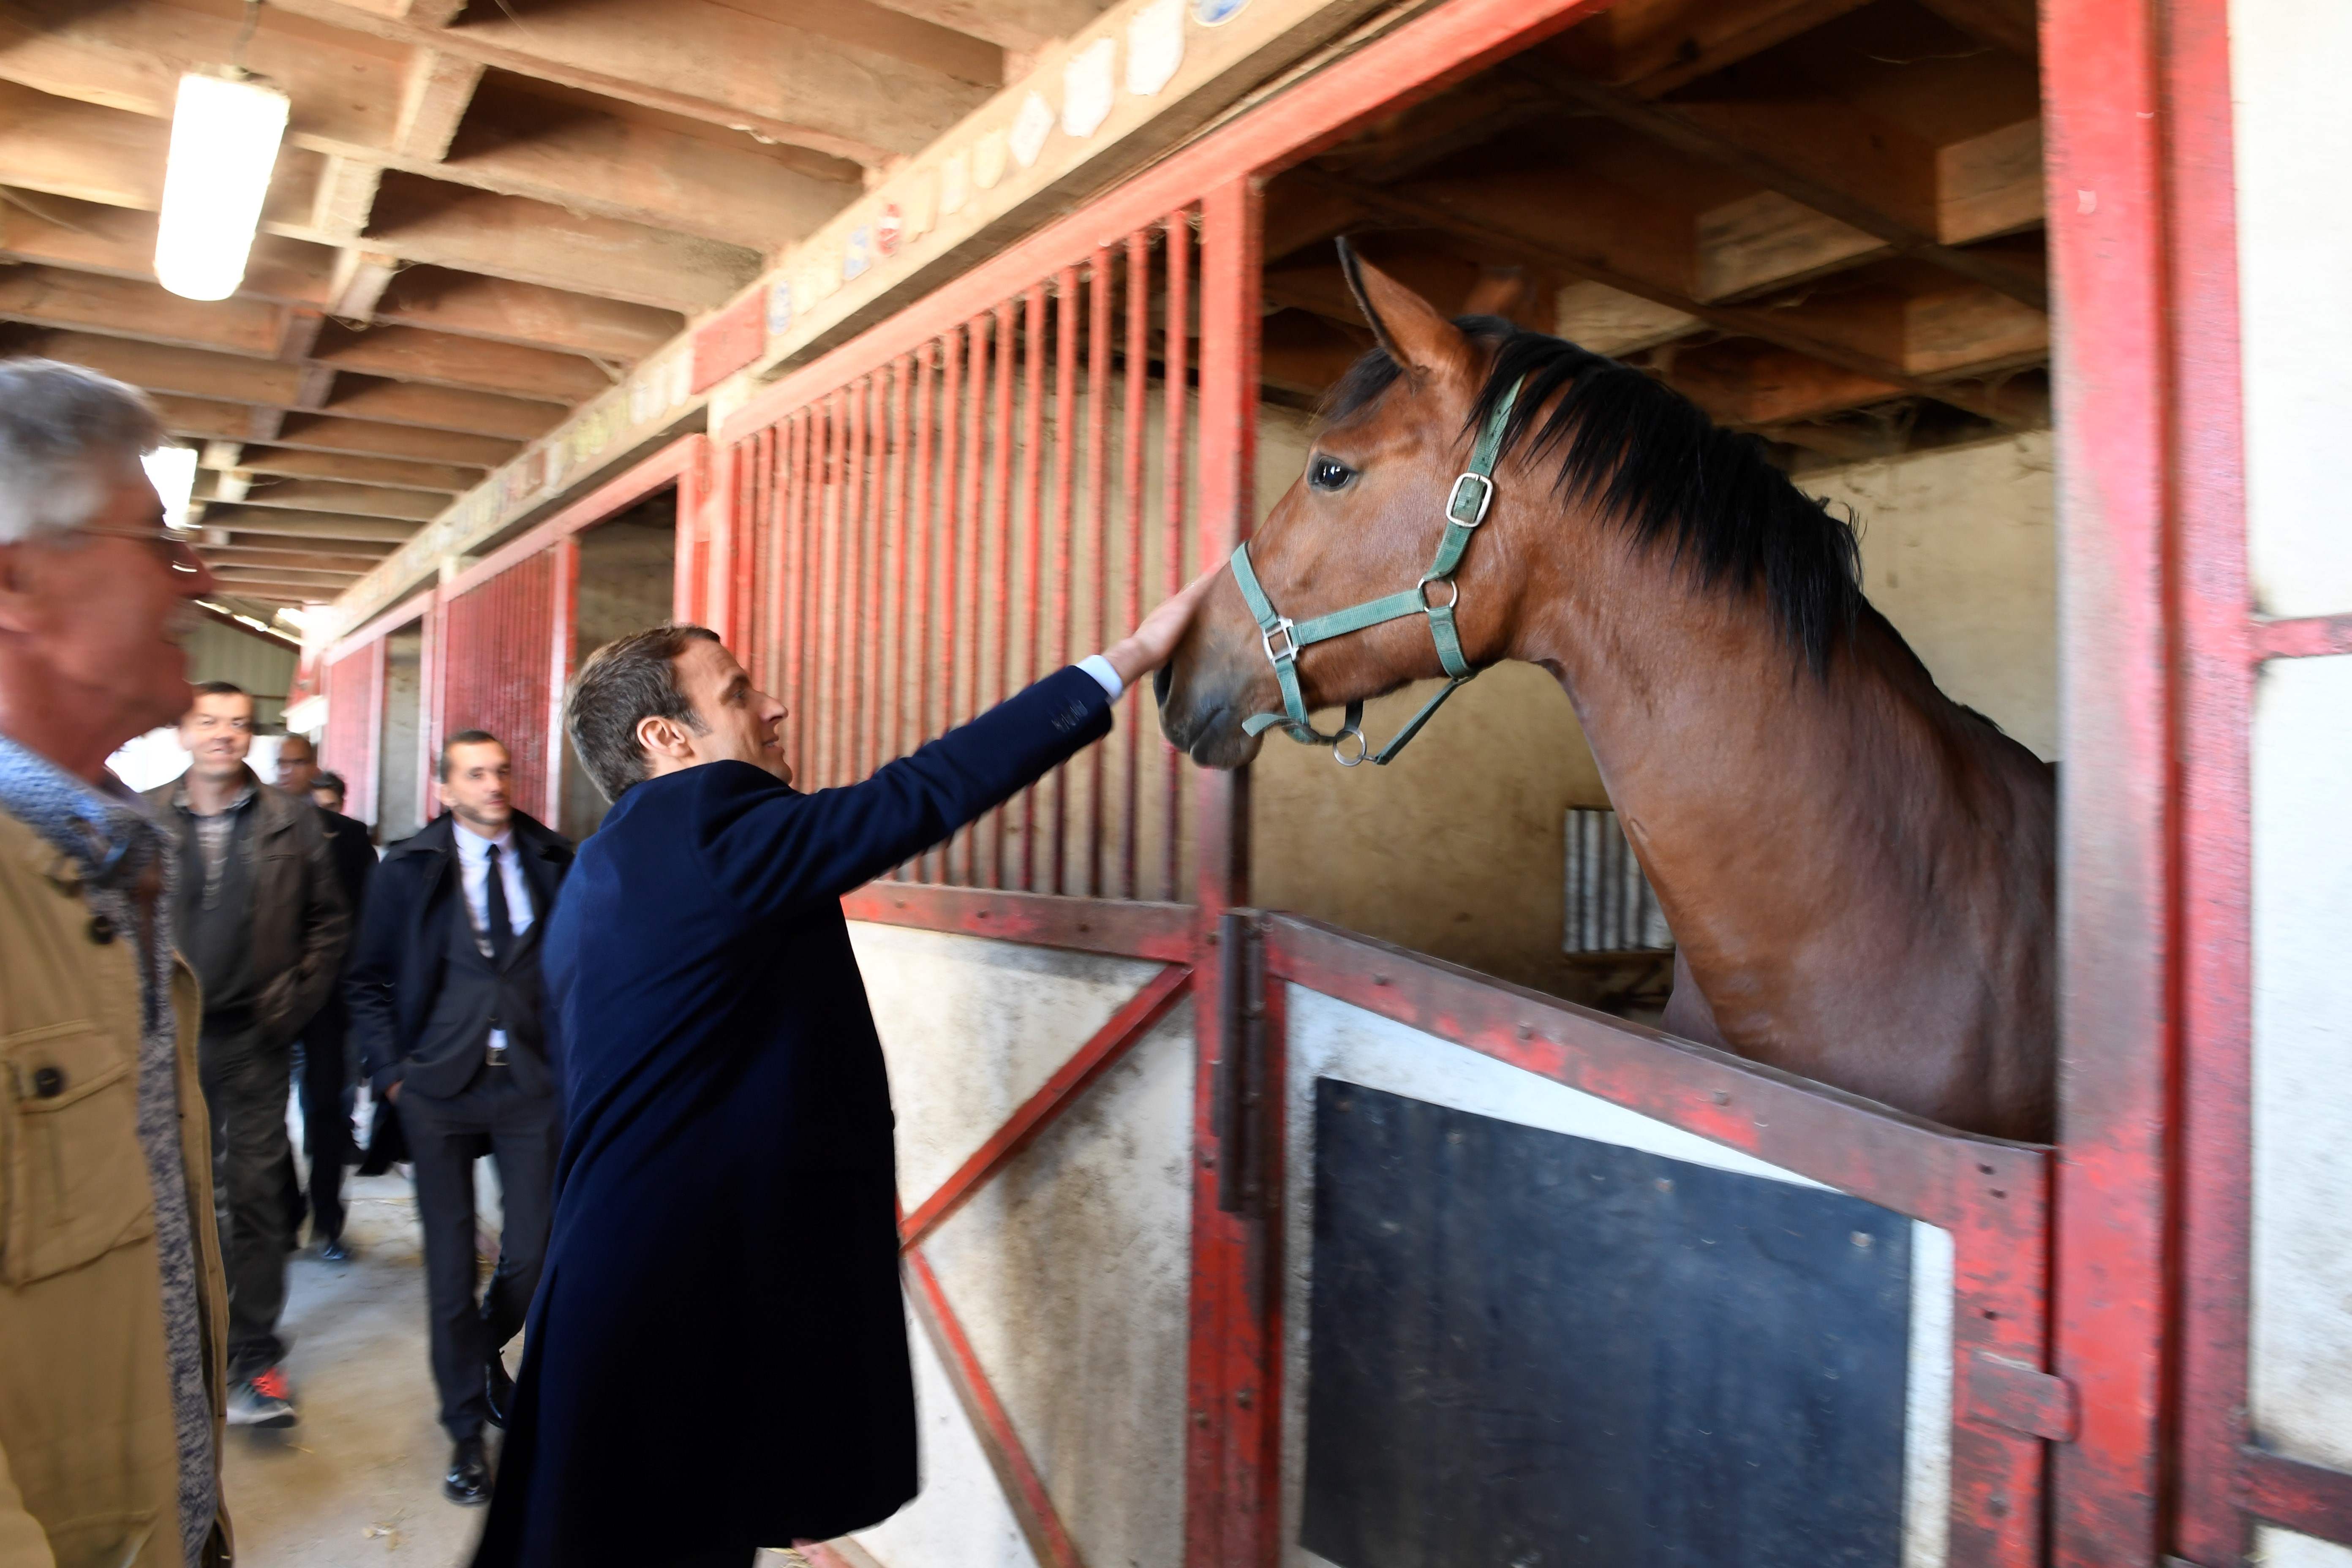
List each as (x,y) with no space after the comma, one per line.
(1347,1043)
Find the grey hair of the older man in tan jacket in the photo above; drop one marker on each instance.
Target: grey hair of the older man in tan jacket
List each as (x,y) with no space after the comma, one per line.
(60,429)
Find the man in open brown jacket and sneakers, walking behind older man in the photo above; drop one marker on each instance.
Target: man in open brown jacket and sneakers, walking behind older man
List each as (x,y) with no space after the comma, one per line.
(260,916)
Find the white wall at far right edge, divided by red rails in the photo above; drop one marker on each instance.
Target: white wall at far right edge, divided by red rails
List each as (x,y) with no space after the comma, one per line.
(2294,133)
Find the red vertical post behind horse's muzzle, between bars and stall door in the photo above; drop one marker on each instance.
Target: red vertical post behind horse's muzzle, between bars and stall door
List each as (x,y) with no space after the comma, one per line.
(1234,1461)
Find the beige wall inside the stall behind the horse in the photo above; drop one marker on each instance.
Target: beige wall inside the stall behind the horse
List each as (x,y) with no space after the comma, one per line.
(1459,847)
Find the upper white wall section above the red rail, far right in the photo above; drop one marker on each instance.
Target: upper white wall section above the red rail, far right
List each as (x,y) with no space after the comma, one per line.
(2294,246)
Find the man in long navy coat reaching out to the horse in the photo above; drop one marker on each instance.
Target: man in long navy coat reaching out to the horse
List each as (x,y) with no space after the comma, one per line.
(716,1360)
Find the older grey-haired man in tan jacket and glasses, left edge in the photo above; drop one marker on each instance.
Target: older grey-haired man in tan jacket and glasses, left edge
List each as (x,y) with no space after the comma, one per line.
(112,1304)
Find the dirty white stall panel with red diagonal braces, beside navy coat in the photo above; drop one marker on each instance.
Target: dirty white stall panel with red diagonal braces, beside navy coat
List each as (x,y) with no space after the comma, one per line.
(1071,1271)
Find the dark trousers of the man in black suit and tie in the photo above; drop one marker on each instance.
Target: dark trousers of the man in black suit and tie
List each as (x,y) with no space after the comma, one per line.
(443,1139)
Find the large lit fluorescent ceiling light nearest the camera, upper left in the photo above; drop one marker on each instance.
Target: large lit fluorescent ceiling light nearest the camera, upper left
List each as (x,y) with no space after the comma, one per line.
(225,145)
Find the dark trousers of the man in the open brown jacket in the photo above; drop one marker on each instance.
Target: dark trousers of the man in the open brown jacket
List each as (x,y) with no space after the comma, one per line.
(246,1090)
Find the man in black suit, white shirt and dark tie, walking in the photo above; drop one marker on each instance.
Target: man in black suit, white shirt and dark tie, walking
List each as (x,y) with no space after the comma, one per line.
(446,1005)
